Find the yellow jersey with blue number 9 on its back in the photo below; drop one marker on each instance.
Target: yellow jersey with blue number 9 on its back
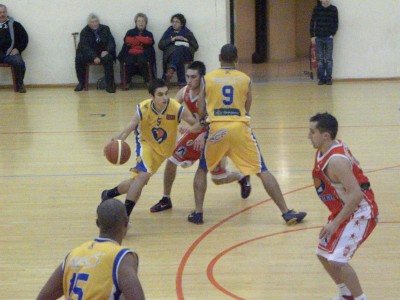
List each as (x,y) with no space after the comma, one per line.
(226,95)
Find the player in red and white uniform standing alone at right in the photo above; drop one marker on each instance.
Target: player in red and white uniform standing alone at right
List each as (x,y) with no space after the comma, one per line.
(342,186)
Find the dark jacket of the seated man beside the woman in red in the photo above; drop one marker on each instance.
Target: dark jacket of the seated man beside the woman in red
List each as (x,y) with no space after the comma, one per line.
(90,48)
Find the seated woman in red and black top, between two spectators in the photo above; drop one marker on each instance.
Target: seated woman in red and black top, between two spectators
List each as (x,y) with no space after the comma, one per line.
(138,50)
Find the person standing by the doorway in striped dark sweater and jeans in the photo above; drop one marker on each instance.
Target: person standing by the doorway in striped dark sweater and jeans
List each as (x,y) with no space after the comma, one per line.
(323,26)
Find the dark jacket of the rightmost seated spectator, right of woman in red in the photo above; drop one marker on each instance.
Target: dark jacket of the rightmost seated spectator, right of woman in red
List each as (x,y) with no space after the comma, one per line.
(168,46)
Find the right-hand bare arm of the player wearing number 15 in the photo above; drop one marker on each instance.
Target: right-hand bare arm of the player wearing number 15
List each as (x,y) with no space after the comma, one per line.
(128,279)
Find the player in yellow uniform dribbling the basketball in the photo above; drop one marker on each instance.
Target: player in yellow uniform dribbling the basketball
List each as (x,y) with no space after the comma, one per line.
(155,123)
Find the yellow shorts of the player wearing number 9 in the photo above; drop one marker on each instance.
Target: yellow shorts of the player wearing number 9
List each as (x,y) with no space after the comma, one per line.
(236,141)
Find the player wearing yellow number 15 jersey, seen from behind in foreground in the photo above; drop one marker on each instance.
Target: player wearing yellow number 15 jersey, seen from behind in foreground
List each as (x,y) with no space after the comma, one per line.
(101,268)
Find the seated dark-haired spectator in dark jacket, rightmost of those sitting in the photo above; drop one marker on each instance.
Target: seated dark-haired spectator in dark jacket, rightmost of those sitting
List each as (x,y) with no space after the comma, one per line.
(179,45)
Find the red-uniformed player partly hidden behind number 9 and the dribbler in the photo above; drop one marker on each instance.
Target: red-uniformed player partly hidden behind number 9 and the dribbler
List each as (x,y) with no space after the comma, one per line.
(189,147)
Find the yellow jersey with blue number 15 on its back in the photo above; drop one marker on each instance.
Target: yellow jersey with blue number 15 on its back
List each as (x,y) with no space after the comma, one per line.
(91,270)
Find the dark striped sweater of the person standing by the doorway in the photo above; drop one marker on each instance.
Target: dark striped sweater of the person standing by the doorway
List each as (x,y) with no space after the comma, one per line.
(324,21)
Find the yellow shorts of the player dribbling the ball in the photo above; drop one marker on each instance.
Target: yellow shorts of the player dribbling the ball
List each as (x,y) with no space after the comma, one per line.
(147,160)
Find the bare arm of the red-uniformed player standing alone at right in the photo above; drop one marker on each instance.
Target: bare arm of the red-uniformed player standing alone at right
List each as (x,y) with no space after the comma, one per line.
(339,170)
